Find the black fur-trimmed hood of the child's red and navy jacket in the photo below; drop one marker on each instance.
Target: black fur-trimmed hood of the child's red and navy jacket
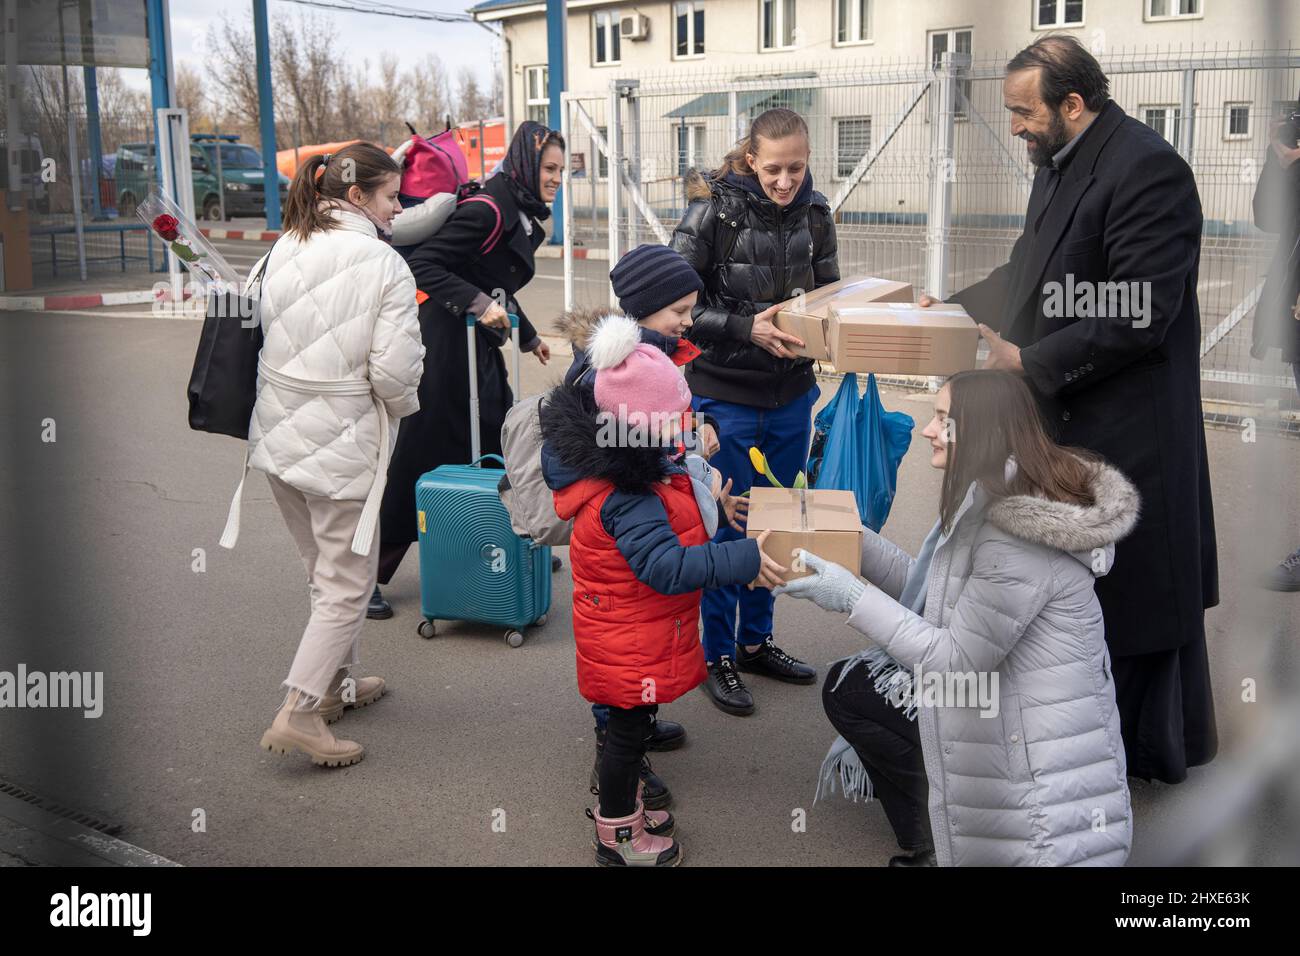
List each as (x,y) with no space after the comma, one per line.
(573,452)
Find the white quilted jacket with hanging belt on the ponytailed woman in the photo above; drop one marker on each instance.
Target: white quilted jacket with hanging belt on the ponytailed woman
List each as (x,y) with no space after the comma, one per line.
(339,310)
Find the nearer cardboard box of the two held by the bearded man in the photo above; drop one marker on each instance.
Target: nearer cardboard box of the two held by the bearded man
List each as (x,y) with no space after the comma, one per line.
(903,339)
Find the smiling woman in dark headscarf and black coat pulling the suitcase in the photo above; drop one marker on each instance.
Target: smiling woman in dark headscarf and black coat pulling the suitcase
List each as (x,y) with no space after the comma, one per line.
(473,266)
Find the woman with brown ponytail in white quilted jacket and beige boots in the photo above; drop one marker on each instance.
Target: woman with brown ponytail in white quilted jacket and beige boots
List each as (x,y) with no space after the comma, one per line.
(340,366)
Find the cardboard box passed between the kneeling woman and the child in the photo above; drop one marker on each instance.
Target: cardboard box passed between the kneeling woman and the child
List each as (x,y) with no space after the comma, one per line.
(821,521)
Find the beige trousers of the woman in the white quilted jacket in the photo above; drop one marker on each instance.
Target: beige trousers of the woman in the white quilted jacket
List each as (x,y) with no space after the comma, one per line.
(340,585)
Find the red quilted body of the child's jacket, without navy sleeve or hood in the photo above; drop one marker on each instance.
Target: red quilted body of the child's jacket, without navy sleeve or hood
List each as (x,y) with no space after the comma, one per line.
(635,646)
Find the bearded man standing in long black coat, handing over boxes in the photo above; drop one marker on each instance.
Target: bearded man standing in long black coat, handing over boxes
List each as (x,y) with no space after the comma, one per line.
(1098,310)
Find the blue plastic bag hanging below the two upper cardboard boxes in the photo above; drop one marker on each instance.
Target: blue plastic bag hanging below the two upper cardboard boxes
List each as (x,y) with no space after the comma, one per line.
(857,447)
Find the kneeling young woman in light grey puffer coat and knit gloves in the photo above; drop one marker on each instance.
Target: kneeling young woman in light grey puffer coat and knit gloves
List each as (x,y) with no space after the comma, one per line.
(1029,768)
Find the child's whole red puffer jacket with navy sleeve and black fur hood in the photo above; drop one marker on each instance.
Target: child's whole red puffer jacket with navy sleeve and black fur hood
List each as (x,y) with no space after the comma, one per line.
(640,557)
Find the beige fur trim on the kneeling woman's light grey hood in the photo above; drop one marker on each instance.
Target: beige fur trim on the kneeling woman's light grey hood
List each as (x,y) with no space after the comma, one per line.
(1076,529)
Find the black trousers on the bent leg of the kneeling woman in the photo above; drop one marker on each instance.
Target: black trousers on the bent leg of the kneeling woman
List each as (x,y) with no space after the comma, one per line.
(889,745)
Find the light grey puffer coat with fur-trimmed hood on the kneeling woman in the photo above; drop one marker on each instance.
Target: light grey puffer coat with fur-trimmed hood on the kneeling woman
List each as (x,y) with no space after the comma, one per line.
(1011,590)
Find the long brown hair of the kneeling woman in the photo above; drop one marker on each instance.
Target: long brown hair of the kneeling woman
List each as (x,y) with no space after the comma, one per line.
(994,418)
